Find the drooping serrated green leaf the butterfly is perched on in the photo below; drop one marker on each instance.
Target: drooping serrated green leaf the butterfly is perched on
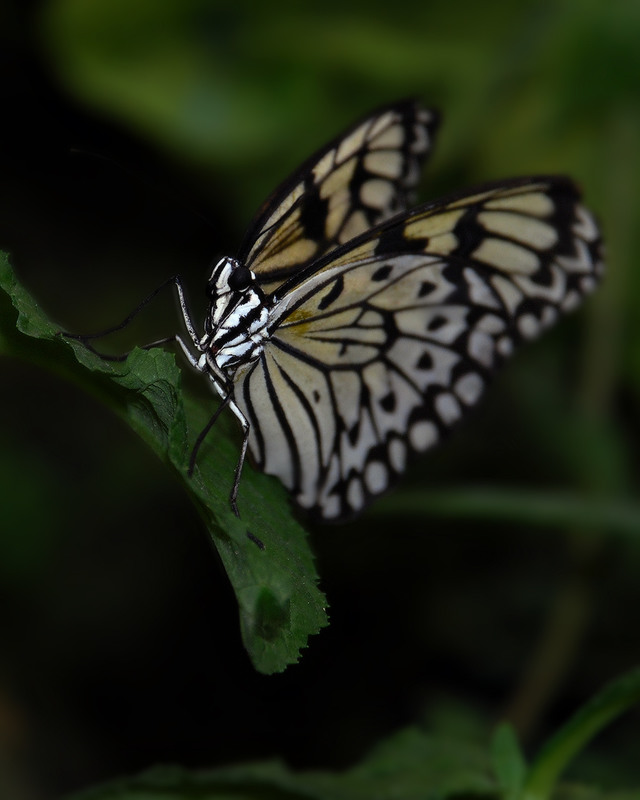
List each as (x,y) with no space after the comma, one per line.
(265,552)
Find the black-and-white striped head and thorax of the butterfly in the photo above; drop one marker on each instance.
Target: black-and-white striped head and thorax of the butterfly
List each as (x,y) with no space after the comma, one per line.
(236,325)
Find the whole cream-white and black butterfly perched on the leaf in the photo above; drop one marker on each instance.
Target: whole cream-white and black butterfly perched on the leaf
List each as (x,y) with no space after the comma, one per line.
(349,332)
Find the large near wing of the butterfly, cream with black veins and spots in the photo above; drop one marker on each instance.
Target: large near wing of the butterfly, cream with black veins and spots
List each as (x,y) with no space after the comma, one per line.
(384,344)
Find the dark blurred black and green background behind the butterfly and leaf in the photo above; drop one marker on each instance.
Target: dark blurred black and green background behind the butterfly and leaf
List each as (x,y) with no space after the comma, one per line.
(136,141)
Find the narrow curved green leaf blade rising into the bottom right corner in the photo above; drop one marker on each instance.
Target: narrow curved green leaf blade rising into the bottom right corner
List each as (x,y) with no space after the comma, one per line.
(613,700)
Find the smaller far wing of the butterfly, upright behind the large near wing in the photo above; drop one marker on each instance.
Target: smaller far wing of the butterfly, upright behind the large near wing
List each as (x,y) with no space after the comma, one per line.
(360,179)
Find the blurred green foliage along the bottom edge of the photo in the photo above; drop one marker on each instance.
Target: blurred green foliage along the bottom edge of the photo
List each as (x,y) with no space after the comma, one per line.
(408,766)
